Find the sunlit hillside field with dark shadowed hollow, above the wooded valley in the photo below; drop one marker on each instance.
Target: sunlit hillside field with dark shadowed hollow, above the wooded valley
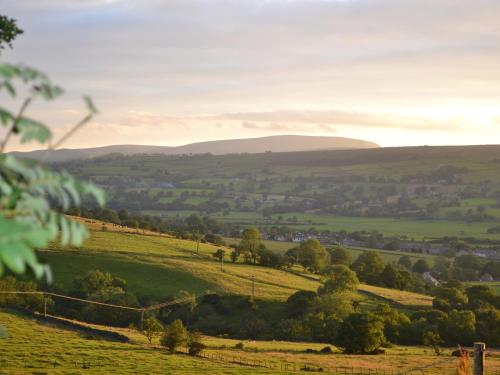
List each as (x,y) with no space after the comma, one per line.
(157,267)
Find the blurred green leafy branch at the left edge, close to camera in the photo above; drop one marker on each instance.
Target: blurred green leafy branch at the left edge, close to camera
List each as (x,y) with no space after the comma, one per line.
(33,197)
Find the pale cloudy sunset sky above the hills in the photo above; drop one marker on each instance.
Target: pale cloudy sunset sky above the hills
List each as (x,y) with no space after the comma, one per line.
(171,72)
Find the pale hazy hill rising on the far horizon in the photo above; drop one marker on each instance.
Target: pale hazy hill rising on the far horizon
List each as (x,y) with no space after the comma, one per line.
(279,143)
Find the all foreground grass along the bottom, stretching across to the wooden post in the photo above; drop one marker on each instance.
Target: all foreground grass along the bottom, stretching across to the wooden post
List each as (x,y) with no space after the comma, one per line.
(46,349)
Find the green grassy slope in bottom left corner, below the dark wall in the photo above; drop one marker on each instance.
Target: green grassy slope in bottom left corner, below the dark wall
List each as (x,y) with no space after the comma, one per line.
(44,349)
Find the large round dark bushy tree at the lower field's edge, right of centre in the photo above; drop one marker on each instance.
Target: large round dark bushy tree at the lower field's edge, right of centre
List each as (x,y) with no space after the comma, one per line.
(361,333)
